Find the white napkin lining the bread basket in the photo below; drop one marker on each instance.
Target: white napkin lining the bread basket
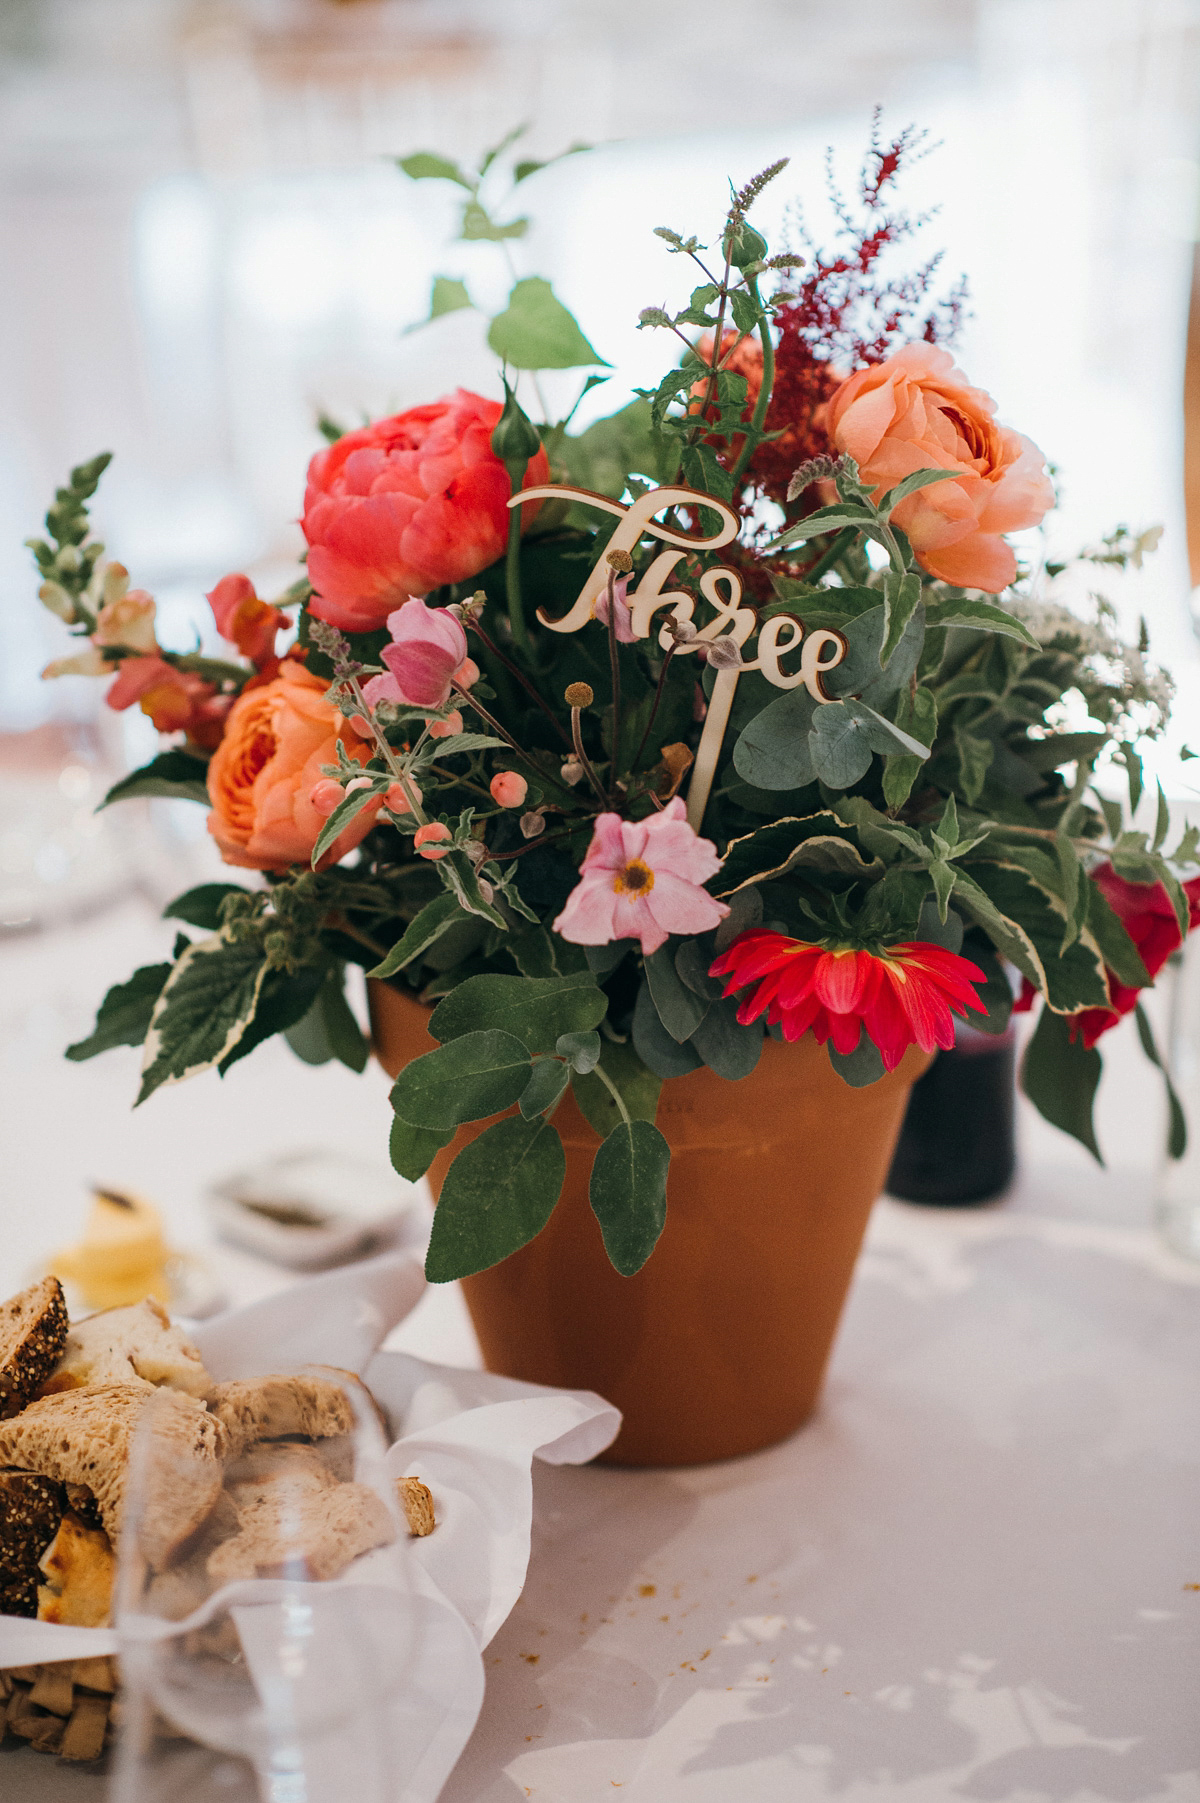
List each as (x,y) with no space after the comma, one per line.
(469,1436)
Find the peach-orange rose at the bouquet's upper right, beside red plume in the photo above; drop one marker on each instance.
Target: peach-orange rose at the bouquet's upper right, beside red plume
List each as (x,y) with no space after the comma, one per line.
(918,412)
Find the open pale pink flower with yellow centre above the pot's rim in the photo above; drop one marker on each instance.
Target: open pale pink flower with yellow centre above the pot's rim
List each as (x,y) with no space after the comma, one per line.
(642,881)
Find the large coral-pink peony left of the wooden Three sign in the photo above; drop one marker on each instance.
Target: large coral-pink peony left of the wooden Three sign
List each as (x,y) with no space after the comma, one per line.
(406,506)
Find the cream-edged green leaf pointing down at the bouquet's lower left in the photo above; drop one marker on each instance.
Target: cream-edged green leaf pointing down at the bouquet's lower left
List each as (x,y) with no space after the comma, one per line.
(203,1012)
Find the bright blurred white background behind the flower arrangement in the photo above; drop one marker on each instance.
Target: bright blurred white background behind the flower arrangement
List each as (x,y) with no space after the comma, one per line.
(205,243)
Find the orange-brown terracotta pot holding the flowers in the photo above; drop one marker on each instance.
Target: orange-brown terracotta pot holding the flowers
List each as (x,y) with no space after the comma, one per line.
(720,1344)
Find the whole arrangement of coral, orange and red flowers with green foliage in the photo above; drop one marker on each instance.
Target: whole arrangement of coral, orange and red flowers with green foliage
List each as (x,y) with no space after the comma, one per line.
(902,823)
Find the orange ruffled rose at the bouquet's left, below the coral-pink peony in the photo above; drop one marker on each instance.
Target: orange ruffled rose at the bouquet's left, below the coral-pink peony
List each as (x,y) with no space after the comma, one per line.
(266,771)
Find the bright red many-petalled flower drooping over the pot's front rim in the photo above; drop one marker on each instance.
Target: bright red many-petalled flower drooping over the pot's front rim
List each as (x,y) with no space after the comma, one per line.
(904,996)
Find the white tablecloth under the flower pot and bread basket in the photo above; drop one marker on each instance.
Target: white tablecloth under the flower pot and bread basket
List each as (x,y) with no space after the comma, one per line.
(974,1575)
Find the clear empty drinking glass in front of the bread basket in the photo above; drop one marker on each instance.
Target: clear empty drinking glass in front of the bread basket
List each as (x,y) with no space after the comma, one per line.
(260,1636)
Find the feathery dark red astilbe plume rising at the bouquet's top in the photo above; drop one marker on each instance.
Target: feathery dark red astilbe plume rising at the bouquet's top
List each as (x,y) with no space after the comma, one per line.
(848,313)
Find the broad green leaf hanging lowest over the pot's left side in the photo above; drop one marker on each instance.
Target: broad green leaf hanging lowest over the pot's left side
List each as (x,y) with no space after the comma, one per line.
(498,1196)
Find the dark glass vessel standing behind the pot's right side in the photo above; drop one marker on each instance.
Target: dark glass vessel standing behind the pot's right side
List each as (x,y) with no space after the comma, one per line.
(958,1146)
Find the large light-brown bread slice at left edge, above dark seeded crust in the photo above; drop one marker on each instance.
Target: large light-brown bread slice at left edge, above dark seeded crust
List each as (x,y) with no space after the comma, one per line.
(87,1436)
